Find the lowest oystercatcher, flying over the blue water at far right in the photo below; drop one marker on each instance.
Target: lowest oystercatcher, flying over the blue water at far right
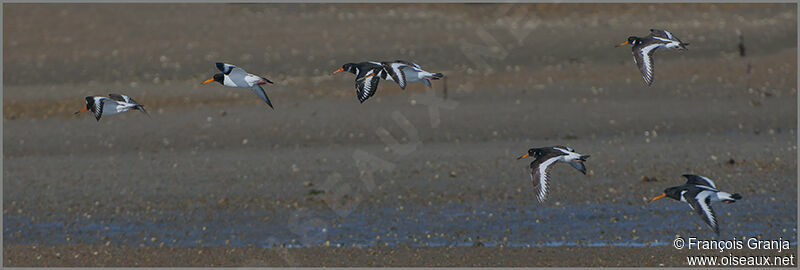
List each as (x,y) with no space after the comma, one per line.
(699,192)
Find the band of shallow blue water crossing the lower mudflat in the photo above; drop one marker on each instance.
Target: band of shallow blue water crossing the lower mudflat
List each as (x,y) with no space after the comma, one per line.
(510,223)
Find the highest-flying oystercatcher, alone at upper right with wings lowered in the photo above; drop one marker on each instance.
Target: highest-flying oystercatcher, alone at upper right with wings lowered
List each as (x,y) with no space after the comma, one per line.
(643,48)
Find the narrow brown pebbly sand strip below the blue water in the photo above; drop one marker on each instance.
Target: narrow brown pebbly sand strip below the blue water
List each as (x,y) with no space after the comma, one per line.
(79,255)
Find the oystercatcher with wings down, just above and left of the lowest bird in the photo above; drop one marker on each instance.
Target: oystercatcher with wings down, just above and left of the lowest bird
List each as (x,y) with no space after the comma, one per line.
(544,158)
